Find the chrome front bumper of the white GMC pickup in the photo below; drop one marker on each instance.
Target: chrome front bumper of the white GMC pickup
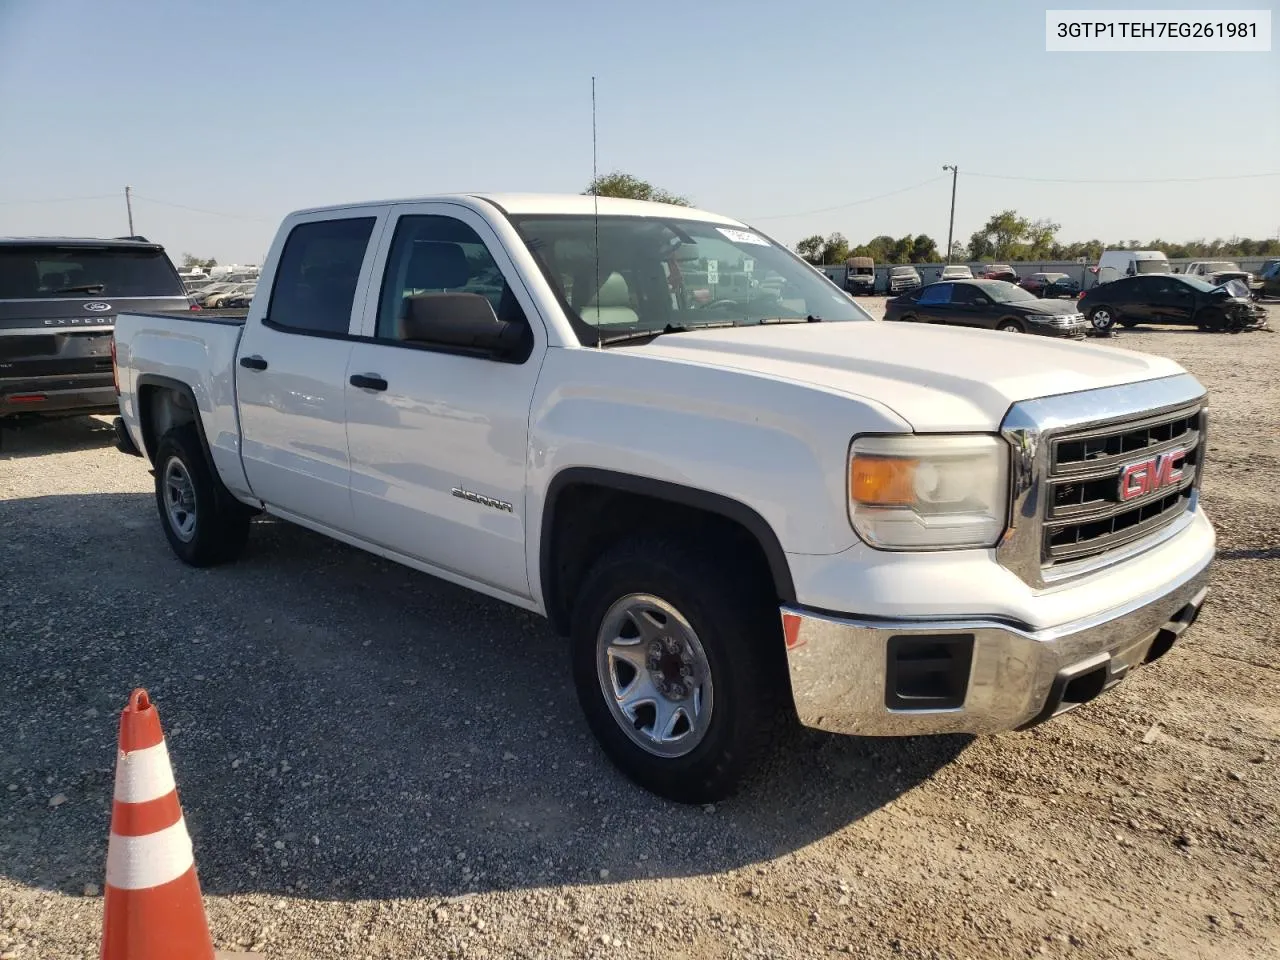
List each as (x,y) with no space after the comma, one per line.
(888,678)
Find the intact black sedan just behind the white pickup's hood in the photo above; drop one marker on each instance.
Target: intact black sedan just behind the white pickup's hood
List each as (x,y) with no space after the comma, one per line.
(993,305)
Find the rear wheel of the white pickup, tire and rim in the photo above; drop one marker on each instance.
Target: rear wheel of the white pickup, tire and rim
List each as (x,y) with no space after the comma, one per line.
(205,525)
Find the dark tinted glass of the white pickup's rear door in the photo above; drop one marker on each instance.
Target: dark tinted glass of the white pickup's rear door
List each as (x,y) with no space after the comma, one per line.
(316,284)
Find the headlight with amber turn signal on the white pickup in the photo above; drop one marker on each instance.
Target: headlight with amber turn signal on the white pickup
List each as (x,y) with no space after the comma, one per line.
(929,493)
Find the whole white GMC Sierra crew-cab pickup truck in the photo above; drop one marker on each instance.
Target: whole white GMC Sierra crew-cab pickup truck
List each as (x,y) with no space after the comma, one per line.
(738,496)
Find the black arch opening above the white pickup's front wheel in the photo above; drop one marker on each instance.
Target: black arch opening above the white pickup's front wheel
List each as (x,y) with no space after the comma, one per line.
(582,519)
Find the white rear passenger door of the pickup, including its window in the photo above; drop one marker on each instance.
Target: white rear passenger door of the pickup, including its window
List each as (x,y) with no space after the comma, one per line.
(291,380)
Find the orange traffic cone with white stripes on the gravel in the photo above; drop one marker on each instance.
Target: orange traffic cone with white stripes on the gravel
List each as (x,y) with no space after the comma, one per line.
(153,908)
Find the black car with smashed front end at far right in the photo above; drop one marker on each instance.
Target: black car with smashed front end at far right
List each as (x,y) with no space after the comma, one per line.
(1172,299)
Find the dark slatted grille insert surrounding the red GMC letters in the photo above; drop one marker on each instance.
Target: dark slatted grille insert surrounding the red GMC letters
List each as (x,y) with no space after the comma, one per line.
(1085,515)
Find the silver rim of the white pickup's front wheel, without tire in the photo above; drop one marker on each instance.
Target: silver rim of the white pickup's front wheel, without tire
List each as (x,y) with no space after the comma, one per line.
(655,675)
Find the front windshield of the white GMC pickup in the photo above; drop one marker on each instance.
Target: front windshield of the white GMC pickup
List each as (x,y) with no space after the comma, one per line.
(660,275)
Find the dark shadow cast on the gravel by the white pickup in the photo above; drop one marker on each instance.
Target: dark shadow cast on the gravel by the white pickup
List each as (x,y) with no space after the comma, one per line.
(342,728)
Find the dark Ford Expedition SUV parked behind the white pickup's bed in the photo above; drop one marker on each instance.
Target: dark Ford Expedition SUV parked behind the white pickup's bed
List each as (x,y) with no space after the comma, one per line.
(58,305)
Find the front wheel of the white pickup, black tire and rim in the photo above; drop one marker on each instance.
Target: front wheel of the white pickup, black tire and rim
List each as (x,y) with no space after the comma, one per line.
(678,662)
